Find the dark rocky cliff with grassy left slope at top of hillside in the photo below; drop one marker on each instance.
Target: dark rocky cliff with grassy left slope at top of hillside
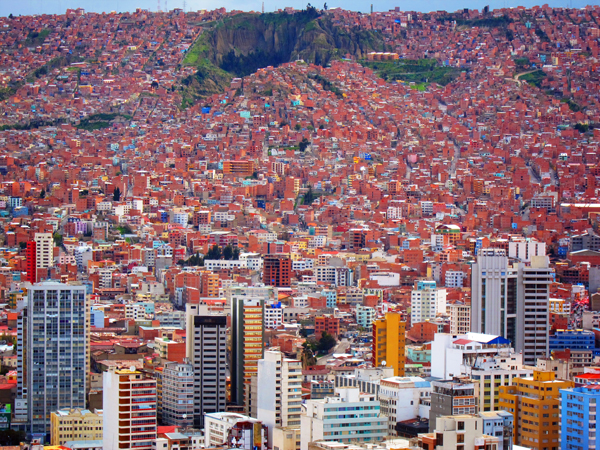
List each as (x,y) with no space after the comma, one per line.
(239,45)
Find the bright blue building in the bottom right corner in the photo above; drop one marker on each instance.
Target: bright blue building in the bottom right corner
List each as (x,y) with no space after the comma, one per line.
(578,418)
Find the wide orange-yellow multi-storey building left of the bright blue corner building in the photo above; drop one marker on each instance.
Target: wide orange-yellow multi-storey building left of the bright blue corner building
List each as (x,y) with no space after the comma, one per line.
(534,403)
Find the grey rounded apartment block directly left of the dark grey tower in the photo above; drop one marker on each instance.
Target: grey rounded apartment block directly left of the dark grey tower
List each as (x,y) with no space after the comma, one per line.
(178,396)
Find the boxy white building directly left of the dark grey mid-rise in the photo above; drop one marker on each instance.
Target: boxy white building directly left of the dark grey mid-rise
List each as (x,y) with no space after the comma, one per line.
(404,398)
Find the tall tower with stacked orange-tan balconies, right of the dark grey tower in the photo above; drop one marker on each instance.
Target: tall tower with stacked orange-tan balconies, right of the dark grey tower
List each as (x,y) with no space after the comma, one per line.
(247,345)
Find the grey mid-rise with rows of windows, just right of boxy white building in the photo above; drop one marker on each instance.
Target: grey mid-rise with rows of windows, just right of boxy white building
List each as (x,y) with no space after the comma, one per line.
(451,398)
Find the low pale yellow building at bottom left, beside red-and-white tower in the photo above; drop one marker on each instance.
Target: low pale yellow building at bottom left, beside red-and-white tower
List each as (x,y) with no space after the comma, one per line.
(75,425)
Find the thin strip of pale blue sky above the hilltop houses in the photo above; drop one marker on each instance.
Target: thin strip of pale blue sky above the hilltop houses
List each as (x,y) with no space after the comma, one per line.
(28,7)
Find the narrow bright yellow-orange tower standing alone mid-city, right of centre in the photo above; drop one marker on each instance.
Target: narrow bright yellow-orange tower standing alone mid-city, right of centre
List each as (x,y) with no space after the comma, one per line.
(389,342)
